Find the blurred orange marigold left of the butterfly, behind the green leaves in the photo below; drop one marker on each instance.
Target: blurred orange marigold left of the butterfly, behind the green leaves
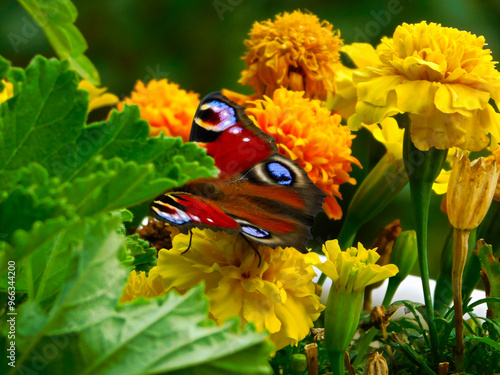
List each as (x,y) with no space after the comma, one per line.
(168,108)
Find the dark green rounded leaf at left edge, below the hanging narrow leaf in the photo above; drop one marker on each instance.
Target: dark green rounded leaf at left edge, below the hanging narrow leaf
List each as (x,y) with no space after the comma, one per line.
(47,113)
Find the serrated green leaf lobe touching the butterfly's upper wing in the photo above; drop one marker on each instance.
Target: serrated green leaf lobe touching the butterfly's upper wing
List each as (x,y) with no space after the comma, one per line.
(125,135)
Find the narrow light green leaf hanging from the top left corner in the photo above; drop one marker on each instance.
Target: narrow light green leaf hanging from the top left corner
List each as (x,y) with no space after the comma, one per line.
(57,18)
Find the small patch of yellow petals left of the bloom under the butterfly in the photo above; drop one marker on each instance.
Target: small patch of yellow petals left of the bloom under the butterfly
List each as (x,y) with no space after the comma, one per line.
(140,285)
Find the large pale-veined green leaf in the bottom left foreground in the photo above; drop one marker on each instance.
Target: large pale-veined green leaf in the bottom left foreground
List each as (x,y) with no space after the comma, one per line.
(169,334)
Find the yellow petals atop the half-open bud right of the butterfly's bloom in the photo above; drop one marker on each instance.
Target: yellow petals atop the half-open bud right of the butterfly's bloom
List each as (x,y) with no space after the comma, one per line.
(352,270)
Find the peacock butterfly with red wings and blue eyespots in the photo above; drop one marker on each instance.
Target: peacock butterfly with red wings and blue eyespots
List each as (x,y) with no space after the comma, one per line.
(259,193)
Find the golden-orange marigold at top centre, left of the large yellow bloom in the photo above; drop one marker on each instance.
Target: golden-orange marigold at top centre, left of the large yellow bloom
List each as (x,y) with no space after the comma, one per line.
(295,51)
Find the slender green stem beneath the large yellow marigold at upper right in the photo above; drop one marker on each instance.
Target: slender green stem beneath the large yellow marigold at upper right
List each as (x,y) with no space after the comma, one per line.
(421,194)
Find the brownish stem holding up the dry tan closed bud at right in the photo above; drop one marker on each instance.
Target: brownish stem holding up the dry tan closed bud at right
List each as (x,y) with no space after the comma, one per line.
(460,249)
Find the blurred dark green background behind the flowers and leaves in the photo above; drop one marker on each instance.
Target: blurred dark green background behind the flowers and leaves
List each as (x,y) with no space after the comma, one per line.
(199,44)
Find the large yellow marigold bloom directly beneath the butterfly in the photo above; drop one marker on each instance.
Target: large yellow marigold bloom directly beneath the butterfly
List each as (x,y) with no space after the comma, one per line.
(279,295)
